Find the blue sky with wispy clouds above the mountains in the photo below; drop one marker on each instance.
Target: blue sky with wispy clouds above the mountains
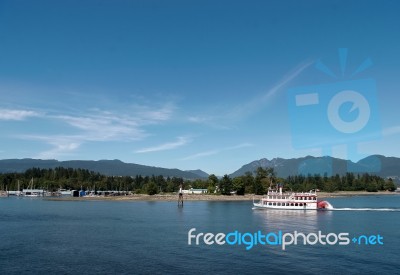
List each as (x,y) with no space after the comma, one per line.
(209,85)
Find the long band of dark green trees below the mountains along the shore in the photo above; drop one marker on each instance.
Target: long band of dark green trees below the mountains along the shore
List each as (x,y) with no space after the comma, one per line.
(250,183)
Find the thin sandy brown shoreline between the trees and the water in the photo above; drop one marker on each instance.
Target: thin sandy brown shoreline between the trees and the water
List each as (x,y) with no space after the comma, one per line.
(205,197)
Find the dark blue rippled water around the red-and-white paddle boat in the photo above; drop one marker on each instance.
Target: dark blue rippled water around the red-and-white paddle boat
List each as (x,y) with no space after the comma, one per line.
(103,237)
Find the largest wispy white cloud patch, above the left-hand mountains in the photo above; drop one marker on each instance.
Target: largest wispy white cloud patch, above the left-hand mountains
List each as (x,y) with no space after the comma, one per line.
(96,125)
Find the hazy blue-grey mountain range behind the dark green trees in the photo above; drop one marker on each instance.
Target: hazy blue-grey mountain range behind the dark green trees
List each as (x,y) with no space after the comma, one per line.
(375,164)
